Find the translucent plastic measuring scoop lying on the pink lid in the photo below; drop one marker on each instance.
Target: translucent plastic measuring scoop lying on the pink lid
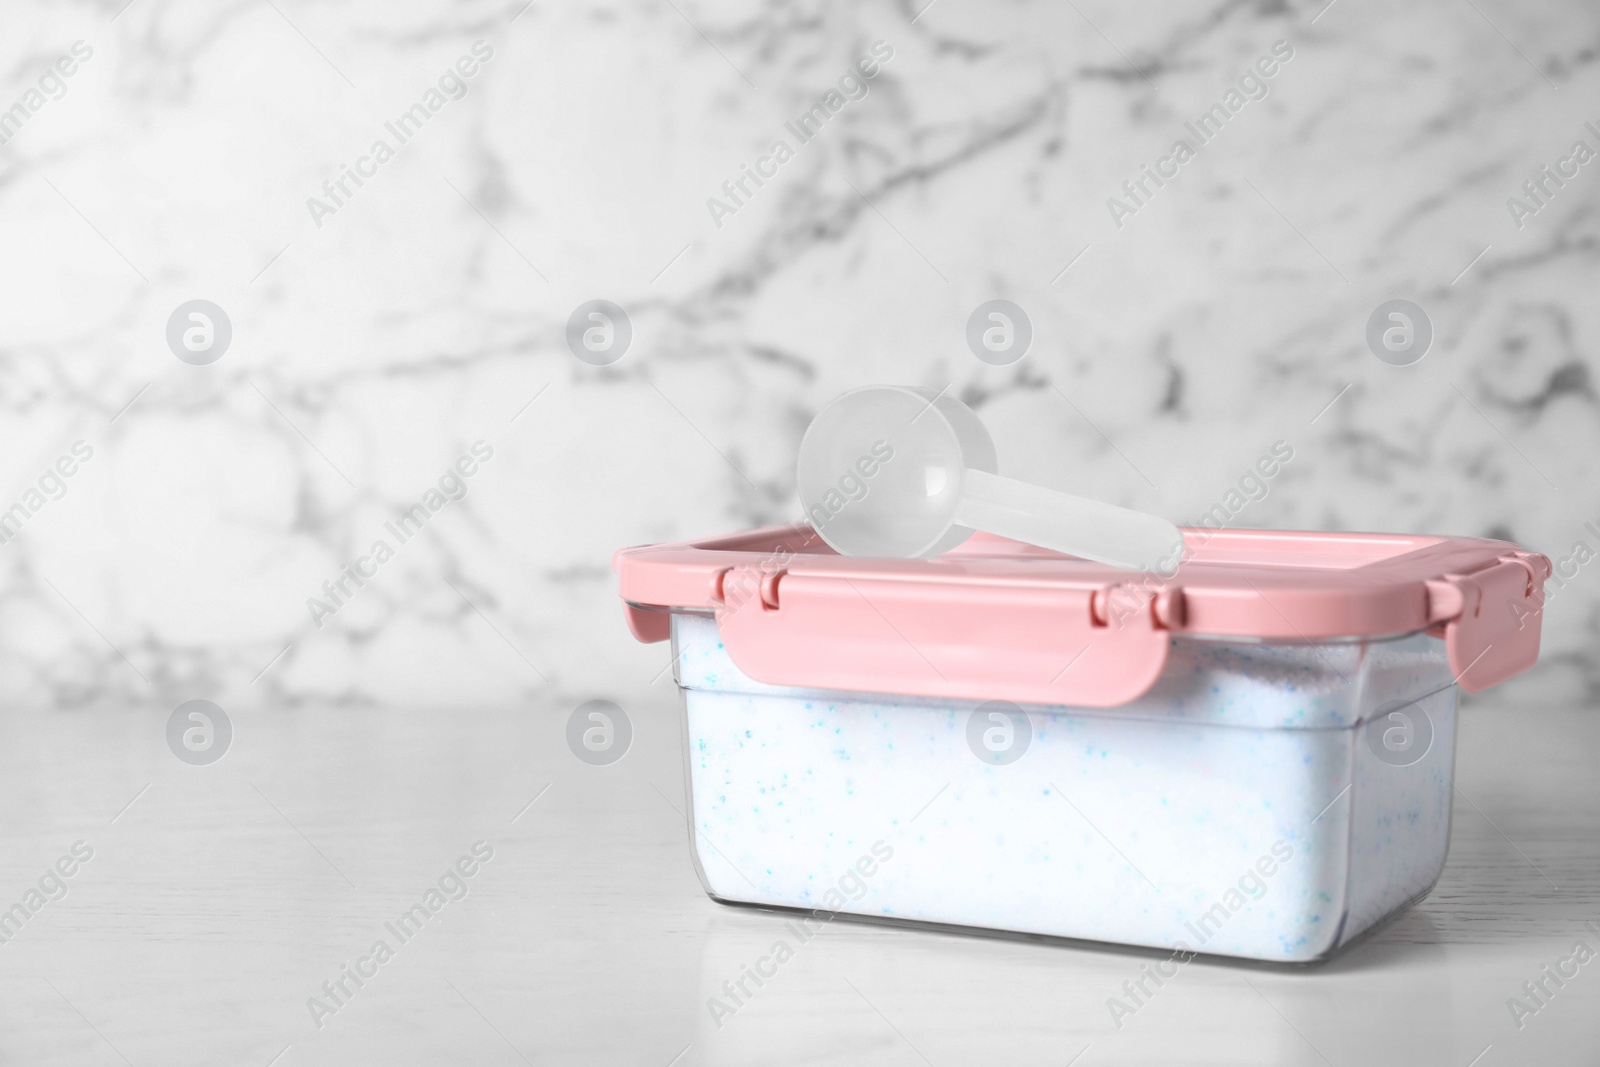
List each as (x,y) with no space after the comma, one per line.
(894,471)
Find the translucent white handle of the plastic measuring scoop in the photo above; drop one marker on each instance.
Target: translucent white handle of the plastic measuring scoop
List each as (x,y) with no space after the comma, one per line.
(1073,526)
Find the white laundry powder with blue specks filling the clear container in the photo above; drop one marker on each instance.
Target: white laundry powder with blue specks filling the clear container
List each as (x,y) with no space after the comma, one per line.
(1127,825)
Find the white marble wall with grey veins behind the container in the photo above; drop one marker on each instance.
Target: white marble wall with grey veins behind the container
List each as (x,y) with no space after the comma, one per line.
(426,314)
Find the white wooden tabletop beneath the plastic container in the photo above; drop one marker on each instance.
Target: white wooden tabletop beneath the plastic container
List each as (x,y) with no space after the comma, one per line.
(222,898)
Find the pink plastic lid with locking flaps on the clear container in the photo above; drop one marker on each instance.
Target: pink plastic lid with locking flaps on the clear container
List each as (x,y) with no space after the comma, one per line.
(999,620)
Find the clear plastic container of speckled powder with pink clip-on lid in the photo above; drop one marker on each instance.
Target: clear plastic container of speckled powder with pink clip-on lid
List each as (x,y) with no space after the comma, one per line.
(1252,757)
